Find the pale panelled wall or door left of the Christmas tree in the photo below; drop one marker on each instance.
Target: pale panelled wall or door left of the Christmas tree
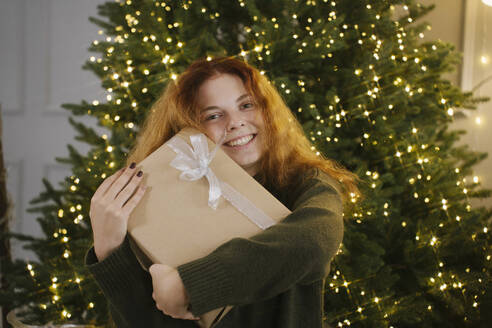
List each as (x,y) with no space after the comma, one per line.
(43,45)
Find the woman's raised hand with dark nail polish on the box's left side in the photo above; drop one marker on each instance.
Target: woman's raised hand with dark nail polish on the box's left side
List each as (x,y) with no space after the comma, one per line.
(111,206)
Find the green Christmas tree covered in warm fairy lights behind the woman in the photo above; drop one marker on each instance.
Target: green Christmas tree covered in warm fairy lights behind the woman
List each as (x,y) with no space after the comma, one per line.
(369,94)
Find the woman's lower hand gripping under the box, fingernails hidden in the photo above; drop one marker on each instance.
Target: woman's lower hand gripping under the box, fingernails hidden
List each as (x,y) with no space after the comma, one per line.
(169,292)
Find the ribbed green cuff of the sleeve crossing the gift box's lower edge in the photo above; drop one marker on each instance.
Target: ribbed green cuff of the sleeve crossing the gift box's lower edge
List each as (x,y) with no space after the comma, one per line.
(207,282)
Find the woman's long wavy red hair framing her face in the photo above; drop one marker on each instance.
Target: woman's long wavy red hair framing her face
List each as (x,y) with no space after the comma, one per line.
(284,161)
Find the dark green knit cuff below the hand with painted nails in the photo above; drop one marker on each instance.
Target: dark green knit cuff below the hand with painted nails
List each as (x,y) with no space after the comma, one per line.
(116,272)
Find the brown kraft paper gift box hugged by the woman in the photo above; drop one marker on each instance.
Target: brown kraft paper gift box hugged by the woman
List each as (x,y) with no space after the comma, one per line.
(179,220)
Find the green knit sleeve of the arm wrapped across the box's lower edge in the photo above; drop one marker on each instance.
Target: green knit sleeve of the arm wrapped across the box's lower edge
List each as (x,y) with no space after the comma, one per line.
(297,250)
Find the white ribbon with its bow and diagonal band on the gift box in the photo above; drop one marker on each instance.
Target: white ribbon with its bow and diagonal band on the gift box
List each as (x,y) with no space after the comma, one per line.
(194,164)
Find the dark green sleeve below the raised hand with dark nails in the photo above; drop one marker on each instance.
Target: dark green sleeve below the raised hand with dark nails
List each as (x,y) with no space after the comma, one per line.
(128,290)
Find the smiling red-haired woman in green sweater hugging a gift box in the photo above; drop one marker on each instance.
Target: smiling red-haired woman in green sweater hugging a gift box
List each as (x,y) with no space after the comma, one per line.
(273,279)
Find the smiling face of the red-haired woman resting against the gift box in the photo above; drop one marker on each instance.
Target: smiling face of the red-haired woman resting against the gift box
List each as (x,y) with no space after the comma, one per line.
(225,105)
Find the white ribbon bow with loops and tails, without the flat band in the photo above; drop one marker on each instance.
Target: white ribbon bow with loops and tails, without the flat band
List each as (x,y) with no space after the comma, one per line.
(194,163)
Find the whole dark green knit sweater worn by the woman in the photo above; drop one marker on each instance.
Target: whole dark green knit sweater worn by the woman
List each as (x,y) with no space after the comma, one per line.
(273,279)
